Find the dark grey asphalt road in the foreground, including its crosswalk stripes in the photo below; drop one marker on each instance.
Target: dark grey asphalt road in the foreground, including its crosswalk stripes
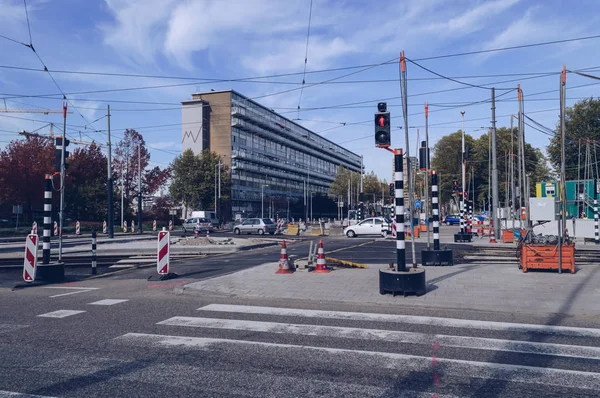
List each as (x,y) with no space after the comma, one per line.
(135,338)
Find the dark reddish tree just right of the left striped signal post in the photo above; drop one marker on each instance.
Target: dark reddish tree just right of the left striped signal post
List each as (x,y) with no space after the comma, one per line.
(85,184)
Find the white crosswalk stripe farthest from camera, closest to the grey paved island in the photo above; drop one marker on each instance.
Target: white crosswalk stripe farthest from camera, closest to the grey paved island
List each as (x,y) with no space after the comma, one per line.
(408,319)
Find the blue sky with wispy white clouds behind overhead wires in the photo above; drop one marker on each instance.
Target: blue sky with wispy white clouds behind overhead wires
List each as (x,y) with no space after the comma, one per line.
(232,39)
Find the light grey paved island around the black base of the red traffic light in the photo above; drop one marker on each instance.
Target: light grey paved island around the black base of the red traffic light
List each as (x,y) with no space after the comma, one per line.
(483,286)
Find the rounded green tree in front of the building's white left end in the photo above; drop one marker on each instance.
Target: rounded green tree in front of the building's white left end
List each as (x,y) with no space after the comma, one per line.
(193,180)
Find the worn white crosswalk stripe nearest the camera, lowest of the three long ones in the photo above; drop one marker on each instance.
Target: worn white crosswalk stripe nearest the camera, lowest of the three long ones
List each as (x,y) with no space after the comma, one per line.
(396,361)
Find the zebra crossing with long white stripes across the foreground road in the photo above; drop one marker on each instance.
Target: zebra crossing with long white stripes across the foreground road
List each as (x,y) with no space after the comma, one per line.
(514,355)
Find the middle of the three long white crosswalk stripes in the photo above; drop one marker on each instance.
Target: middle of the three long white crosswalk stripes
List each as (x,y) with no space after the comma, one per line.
(479,343)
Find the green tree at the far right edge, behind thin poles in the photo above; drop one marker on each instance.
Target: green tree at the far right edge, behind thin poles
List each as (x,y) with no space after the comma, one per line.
(582,121)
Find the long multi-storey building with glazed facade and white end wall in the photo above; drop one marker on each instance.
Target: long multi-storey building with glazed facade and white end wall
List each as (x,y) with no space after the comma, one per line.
(273,160)
